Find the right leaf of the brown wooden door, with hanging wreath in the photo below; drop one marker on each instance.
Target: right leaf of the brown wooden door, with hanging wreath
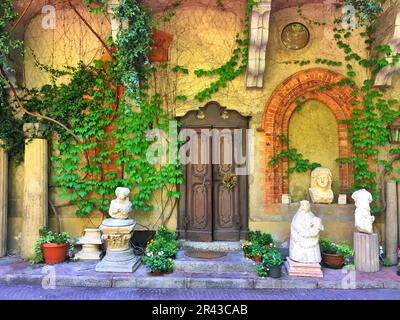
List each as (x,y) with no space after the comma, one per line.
(226,198)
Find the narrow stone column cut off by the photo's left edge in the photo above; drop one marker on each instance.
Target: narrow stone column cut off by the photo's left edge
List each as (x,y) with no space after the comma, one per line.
(3,201)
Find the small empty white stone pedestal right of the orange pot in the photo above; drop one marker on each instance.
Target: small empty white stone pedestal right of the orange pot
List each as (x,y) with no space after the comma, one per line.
(91,245)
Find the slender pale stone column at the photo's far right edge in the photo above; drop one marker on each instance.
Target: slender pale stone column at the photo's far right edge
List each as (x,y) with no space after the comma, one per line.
(391,225)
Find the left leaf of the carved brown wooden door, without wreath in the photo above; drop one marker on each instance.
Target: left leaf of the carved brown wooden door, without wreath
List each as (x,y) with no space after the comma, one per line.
(199,194)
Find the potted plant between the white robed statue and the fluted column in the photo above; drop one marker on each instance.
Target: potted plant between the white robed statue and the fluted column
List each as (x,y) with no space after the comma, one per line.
(334,255)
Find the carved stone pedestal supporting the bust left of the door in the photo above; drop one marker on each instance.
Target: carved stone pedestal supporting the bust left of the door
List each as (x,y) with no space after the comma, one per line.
(119,255)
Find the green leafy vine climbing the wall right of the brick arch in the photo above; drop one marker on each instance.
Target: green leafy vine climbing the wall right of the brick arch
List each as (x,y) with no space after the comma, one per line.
(367,127)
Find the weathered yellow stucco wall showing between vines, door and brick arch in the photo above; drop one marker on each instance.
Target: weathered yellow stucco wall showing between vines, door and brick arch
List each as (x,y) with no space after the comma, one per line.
(203,38)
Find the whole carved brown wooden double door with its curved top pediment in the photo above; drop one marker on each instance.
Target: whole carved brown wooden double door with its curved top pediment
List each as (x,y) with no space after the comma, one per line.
(214,197)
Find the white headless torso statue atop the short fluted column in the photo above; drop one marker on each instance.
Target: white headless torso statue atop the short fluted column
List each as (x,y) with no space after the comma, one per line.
(362,215)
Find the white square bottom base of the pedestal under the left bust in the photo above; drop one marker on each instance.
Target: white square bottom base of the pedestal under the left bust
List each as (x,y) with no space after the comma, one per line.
(119,261)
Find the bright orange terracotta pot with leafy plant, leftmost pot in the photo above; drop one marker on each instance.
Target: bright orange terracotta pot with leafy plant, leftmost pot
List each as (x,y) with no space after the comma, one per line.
(51,247)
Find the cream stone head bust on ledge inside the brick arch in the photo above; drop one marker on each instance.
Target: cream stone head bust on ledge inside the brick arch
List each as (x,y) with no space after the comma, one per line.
(321,186)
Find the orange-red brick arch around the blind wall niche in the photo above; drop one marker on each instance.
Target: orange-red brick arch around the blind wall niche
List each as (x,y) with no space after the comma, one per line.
(304,85)
